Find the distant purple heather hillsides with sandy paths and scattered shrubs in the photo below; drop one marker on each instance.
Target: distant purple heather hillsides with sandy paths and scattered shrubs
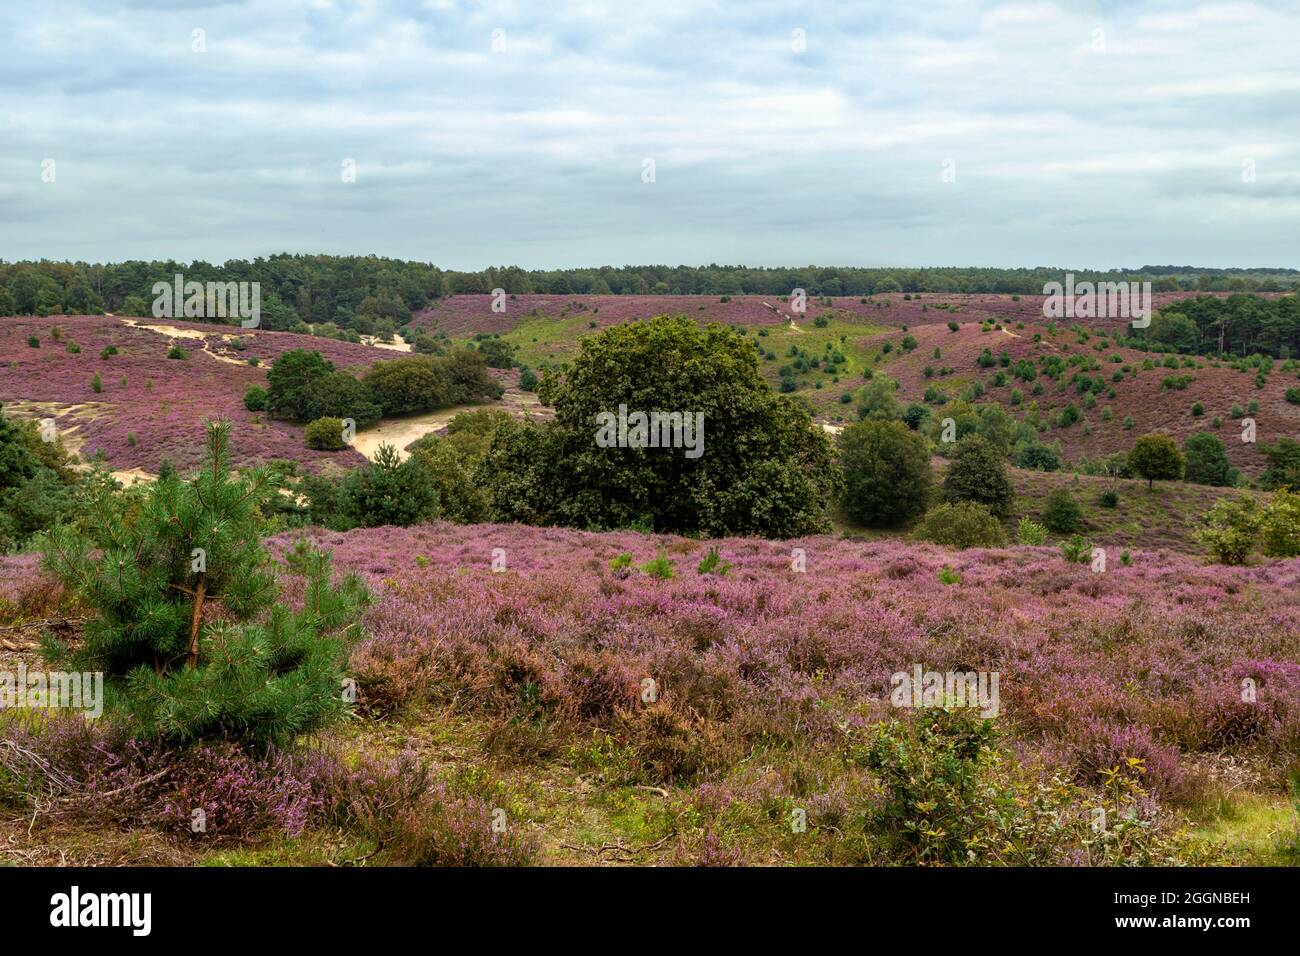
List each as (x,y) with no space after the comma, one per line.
(157,413)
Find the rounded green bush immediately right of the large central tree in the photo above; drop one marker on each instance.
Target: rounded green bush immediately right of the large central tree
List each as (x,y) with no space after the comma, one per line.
(886,469)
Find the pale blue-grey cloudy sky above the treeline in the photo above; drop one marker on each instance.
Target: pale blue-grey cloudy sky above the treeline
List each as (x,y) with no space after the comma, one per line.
(922,133)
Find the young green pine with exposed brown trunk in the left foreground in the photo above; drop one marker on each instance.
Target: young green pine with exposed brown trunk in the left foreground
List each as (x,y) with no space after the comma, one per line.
(189,633)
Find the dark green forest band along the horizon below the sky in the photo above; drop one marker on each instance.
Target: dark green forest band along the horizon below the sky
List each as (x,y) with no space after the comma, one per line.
(350,289)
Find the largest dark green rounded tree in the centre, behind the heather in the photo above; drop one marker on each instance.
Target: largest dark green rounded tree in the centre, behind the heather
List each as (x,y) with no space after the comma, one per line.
(759,466)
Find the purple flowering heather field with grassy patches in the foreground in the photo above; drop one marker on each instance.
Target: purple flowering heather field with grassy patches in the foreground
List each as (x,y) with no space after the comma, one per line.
(526,689)
